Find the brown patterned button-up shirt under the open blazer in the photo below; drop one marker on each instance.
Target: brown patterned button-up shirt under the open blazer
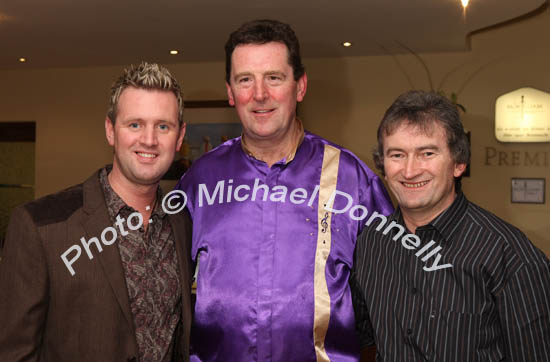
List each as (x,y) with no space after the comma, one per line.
(150,266)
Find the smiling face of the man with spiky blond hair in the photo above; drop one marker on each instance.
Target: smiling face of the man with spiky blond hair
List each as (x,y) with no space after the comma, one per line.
(145,136)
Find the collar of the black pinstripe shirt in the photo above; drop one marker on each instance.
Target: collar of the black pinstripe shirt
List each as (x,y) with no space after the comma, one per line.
(447,222)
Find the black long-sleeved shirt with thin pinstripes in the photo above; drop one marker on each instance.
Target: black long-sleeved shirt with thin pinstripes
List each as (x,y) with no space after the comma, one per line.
(467,287)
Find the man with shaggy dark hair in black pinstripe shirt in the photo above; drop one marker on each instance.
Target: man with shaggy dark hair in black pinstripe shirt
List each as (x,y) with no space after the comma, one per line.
(441,279)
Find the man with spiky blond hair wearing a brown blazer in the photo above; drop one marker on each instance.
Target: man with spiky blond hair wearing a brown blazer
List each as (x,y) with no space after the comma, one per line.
(66,295)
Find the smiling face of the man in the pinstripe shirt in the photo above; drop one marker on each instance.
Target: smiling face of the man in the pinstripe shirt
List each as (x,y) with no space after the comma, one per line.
(420,169)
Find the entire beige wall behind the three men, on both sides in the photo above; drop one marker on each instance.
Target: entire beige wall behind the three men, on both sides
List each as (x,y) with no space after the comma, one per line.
(345,101)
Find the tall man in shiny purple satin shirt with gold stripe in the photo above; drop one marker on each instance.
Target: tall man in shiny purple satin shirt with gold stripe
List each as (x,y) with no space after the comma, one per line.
(276,213)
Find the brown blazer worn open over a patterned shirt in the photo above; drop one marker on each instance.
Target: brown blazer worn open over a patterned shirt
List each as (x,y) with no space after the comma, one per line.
(48,315)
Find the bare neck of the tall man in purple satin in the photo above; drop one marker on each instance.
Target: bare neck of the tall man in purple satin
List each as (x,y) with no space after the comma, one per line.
(273,150)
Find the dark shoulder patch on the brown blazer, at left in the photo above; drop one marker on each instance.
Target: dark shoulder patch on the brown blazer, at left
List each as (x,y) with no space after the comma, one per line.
(55,207)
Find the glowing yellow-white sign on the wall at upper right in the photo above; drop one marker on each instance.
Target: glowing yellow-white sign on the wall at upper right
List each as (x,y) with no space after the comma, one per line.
(523,115)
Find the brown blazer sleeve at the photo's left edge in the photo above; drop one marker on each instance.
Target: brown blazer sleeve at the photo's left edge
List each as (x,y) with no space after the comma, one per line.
(23,290)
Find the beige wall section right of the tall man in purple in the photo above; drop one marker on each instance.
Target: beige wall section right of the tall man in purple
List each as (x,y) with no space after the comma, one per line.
(347,98)
